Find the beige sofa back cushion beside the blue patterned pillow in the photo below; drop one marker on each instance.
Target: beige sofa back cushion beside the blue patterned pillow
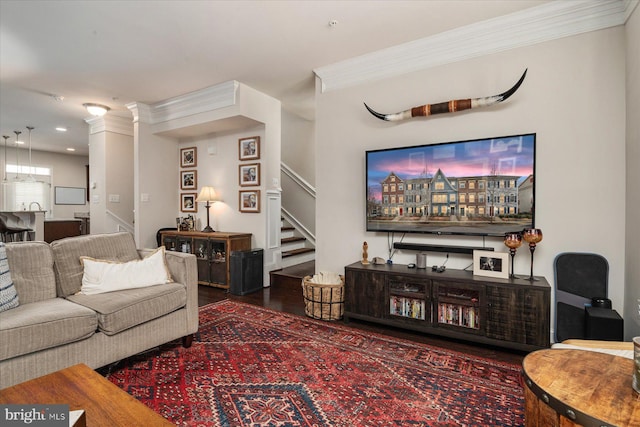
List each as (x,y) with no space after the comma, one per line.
(31,265)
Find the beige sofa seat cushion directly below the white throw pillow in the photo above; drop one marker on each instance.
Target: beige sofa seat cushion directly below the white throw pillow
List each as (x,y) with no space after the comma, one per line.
(125,309)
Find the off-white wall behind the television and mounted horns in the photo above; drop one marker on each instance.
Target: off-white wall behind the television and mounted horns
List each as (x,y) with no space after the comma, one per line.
(573,98)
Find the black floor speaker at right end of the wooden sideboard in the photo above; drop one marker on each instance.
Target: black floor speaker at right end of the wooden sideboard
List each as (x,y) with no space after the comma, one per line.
(246,271)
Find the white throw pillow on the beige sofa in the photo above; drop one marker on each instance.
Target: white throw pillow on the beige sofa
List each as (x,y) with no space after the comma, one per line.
(102,276)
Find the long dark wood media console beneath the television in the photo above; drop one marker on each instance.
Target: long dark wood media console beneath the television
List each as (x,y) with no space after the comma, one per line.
(510,313)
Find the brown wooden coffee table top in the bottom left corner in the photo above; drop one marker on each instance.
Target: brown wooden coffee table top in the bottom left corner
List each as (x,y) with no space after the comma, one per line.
(81,387)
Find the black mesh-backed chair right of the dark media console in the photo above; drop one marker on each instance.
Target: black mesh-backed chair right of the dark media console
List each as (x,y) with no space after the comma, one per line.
(579,277)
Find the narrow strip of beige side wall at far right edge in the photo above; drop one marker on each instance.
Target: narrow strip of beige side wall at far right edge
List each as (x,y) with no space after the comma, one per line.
(632,288)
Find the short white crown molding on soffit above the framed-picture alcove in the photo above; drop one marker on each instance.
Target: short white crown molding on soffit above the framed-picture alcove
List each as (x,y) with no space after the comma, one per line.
(211,98)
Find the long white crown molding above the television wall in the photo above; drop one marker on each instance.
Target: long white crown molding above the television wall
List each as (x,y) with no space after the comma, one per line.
(550,21)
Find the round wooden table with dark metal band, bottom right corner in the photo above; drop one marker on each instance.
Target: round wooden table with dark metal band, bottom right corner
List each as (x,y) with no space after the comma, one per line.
(579,388)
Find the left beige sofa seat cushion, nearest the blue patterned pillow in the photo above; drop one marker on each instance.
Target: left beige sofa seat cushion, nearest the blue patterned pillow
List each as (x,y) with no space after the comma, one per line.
(44,324)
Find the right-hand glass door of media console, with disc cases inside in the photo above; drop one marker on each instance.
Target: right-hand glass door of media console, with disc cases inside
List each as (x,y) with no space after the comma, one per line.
(459,306)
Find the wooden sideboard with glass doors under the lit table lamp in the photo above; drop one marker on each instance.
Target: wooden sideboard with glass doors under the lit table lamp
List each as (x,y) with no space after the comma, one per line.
(212,251)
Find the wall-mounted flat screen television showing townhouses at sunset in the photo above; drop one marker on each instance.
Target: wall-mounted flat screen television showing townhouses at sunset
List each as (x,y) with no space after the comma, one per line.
(481,187)
